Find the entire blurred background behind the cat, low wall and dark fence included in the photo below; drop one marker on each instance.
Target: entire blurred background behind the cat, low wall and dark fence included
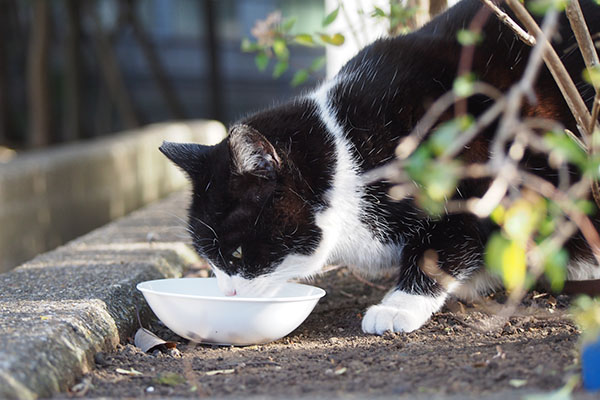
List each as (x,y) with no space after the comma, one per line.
(90,88)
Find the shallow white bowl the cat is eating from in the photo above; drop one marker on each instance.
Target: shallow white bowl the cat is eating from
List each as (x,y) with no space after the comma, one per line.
(196,309)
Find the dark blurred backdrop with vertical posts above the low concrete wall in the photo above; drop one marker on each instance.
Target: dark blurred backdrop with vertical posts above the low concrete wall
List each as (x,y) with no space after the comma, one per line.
(77,69)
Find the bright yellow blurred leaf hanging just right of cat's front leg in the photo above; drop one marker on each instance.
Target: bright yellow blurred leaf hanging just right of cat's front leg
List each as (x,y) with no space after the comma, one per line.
(507,258)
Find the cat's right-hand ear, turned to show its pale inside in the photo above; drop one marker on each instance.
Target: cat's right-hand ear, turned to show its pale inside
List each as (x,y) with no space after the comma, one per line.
(252,153)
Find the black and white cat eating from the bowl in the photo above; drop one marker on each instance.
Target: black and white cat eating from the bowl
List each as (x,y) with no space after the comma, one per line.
(284,195)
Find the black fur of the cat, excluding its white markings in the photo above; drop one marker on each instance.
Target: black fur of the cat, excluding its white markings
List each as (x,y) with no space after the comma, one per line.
(382,93)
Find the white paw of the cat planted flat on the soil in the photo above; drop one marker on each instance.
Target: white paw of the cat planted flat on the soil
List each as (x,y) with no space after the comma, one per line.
(381,318)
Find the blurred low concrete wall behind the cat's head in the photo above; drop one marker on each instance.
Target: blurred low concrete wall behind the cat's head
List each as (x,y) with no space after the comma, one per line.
(51,196)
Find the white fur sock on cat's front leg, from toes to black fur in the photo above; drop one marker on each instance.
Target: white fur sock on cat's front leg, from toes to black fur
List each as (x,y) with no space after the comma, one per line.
(401,312)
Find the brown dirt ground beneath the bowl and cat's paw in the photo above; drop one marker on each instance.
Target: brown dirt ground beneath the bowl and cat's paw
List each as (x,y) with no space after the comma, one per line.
(460,353)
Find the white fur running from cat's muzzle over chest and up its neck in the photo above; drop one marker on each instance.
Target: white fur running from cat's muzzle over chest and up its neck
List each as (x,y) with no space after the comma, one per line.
(345,239)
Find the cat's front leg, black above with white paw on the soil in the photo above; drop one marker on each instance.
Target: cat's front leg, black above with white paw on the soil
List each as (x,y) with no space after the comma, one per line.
(435,262)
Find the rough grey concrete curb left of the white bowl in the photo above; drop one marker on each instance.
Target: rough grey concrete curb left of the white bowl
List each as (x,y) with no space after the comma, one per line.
(61,308)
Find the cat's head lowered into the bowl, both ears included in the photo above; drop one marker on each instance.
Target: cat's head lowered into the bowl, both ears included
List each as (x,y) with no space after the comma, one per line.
(248,217)
